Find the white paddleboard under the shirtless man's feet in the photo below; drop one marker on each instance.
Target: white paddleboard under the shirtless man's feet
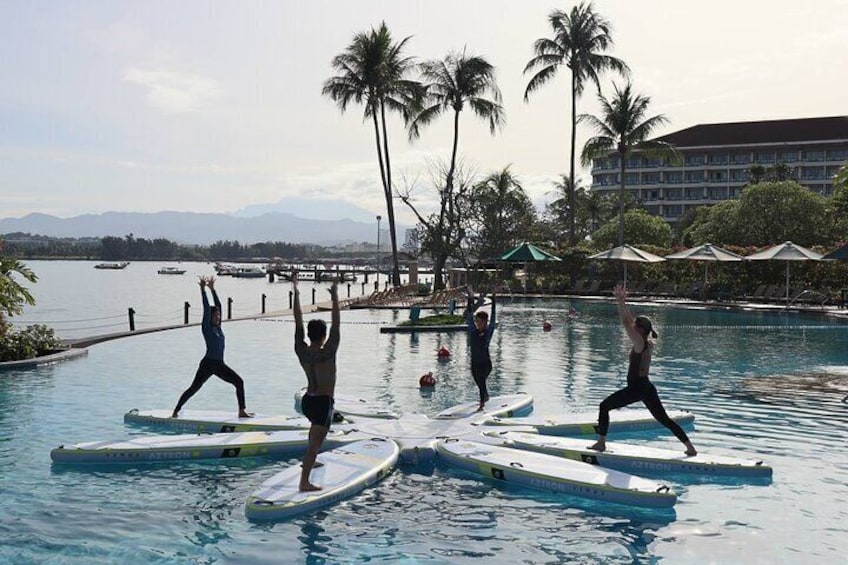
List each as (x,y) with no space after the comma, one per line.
(346,471)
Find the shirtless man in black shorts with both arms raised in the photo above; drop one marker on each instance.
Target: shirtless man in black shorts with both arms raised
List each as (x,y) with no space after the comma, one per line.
(318,360)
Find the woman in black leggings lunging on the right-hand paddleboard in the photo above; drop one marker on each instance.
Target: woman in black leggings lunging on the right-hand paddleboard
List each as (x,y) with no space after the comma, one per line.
(639,387)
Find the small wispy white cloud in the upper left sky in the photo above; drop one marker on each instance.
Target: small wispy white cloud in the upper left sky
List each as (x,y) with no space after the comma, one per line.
(175,92)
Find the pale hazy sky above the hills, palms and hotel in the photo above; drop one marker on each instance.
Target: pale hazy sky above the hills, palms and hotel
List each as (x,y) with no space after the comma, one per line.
(214,106)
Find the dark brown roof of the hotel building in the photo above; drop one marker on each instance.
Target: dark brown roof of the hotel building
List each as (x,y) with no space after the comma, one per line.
(751,133)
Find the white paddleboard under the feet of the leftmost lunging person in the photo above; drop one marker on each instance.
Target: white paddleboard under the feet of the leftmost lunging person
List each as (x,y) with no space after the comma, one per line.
(213,421)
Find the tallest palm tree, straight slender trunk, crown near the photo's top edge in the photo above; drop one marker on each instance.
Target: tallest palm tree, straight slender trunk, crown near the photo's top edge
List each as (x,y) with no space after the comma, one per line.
(580,39)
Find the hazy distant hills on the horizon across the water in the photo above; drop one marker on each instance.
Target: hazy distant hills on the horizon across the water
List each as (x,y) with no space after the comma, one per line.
(205,228)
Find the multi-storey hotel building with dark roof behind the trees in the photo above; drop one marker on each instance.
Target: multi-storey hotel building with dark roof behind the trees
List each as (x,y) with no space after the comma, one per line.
(716,159)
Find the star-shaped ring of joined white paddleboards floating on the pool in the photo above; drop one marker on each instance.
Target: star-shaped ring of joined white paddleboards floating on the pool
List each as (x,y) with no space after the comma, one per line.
(495,442)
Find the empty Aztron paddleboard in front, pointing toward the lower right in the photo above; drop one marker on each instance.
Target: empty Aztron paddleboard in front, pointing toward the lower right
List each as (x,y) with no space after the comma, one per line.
(547,472)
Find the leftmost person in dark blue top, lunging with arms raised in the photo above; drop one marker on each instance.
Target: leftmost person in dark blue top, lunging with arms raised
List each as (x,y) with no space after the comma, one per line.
(213,362)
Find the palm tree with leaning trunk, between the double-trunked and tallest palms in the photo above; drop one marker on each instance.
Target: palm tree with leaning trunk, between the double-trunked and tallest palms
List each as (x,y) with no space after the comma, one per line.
(457,81)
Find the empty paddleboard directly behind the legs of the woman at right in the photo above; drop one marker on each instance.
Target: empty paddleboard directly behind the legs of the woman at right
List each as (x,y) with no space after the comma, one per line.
(586,423)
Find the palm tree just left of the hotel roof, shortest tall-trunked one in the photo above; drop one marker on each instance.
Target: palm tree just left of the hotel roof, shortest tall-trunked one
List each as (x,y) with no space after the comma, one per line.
(623,129)
